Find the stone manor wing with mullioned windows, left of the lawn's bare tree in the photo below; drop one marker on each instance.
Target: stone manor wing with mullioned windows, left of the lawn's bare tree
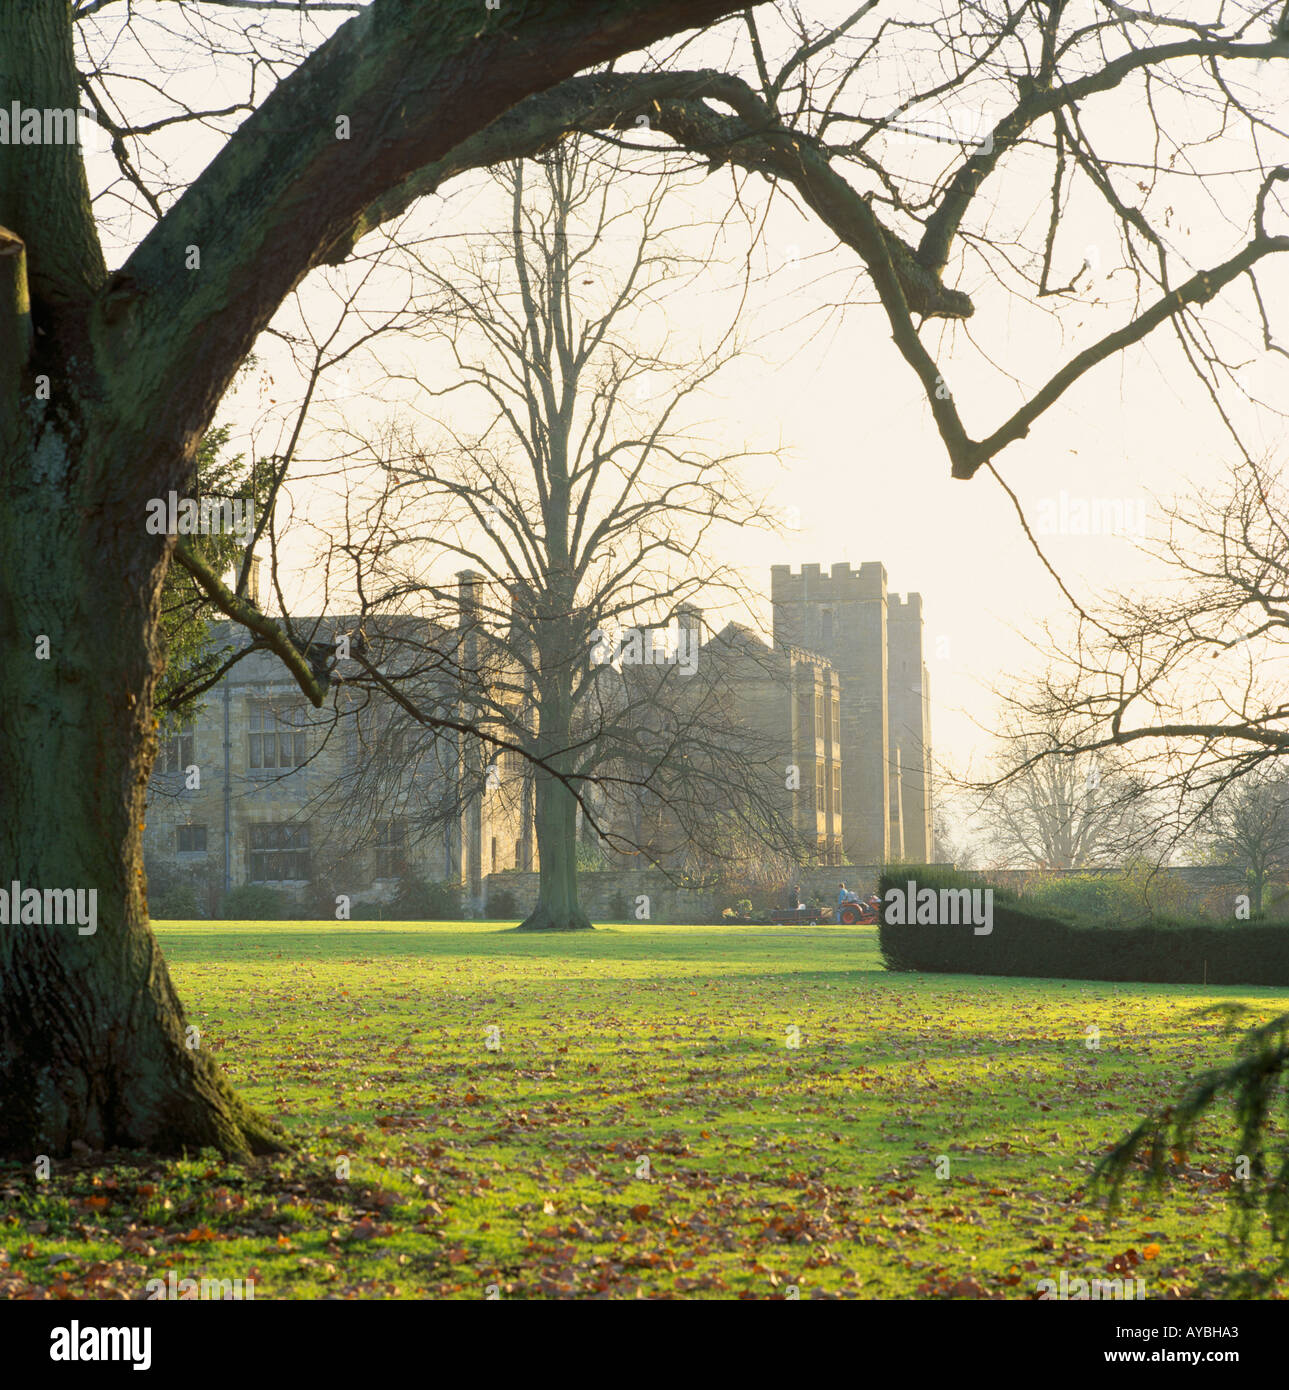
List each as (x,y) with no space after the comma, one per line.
(254,792)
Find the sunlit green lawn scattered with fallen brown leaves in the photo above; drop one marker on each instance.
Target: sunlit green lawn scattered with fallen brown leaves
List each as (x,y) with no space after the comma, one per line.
(624,1114)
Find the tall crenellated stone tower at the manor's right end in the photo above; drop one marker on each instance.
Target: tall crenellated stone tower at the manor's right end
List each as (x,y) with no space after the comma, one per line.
(875,644)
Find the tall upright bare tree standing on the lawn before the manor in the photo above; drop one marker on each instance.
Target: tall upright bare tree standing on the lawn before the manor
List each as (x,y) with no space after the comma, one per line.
(579,505)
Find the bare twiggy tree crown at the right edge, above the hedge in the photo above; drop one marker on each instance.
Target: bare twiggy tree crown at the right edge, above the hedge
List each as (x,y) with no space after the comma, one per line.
(1188,678)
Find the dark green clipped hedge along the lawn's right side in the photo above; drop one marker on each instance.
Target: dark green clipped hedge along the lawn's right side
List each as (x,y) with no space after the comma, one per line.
(1045,946)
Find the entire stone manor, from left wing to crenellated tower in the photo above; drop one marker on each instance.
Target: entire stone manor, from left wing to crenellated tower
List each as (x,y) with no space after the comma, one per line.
(262,789)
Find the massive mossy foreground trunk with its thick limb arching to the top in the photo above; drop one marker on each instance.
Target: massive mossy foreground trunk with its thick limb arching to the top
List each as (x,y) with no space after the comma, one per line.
(106,387)
